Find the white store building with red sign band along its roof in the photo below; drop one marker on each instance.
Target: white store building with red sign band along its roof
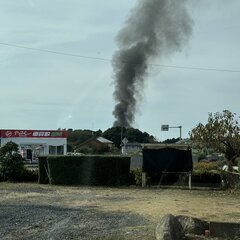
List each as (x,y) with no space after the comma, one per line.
(33,143)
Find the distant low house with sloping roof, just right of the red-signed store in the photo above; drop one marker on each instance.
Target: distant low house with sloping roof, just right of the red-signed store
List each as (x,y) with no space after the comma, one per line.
(98,144)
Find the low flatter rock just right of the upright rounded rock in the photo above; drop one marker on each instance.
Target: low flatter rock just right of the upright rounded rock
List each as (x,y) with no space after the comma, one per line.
(192,225)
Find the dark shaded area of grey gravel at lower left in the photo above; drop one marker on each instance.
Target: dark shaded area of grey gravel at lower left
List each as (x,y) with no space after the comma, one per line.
(25,221)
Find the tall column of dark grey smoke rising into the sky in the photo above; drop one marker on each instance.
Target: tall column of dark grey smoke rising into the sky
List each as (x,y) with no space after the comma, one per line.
(155,28)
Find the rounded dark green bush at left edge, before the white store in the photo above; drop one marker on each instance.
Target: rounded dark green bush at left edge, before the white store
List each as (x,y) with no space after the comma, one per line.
(11,162)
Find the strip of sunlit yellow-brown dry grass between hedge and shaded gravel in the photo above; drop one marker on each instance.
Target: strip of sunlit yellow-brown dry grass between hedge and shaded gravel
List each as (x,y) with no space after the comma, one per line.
(151,203)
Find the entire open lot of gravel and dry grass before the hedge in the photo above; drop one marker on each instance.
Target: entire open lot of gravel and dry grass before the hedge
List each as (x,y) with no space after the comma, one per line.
(33,211)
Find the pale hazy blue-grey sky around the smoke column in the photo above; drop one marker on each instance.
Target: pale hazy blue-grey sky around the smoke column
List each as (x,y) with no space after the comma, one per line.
(41,90)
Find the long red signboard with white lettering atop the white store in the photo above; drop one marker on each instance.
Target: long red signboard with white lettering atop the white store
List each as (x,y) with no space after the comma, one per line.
(32,134)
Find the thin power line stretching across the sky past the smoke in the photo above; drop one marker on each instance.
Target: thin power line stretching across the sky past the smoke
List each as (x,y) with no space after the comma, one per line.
(109,60)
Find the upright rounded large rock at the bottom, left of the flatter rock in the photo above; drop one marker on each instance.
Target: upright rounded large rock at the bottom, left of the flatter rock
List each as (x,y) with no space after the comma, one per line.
(169,228)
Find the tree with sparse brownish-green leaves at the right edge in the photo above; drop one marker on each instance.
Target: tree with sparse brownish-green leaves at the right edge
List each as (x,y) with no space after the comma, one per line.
(221,133)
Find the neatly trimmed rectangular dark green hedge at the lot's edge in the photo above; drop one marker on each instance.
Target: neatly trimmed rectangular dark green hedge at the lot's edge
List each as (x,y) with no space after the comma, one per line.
(89,170)
